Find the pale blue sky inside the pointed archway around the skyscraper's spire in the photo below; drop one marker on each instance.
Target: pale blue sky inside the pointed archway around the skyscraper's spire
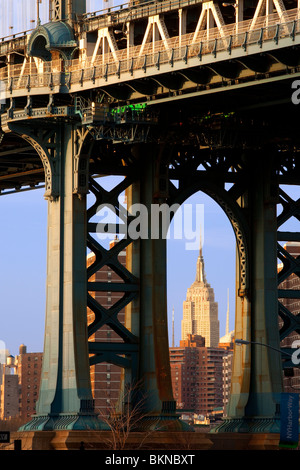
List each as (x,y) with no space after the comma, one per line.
(219,254)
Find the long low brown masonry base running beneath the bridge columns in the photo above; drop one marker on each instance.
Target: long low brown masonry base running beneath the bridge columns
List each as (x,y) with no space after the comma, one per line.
(154,440)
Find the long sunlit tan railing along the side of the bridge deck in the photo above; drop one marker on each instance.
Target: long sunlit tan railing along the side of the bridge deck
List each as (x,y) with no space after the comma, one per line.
(204,43)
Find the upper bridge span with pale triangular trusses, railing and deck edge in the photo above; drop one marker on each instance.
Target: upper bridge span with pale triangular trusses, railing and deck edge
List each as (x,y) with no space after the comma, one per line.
(162,54)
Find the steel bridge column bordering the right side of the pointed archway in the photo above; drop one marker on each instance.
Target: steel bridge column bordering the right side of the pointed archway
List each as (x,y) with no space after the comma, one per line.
(257,372)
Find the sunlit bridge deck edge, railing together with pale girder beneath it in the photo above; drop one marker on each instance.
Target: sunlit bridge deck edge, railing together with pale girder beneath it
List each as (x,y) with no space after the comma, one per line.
(184,56)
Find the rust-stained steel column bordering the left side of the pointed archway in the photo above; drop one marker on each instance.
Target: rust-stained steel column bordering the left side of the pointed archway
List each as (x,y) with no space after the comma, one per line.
(154,390)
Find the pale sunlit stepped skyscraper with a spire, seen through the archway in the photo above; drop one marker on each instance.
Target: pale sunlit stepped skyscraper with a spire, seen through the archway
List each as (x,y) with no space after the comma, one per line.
(200,311)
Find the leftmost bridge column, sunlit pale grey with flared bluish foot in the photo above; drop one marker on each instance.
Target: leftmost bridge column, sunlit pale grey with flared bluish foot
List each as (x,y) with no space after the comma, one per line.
(65,398)
